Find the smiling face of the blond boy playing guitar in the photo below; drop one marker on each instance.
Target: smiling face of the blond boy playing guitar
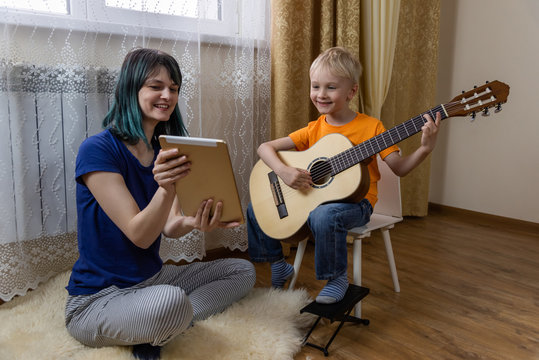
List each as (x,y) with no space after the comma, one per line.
(330,93)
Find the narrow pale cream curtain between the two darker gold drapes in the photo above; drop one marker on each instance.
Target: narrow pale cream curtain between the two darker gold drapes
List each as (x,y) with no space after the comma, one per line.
(379,22)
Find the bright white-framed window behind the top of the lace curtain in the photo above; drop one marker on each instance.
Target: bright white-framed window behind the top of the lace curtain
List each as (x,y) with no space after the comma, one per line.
(158,17)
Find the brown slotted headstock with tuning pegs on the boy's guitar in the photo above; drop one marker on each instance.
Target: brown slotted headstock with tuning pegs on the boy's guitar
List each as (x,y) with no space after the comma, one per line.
(479,99)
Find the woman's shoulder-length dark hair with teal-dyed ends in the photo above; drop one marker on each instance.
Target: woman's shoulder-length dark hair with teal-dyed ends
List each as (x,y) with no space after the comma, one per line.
(124,118)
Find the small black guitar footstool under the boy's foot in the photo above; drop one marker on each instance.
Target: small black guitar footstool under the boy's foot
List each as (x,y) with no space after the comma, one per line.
(339,311)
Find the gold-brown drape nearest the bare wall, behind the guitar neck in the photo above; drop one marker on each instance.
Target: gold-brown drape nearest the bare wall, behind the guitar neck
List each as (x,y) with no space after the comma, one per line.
(413,89)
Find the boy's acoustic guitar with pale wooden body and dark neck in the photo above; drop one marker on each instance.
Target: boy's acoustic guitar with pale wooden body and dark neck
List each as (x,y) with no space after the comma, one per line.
(282,211)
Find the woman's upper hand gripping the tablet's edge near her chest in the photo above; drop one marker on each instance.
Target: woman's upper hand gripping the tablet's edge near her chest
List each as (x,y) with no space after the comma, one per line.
(170,167)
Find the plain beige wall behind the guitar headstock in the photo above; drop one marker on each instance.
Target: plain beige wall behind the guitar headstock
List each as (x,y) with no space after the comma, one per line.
(492,164)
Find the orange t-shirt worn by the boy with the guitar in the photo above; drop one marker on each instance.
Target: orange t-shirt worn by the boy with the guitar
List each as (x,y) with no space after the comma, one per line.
(360,129)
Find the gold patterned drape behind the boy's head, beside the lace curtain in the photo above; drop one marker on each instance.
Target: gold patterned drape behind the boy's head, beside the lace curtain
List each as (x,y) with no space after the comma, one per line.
(300,31)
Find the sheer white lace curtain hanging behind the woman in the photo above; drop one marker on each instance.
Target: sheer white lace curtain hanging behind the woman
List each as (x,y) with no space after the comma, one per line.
(57,79)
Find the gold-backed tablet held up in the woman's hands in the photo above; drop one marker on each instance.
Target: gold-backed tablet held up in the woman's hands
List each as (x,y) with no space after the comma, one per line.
(211,176)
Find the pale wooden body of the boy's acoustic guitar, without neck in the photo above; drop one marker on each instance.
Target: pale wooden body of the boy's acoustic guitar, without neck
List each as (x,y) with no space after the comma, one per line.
(349,185)
